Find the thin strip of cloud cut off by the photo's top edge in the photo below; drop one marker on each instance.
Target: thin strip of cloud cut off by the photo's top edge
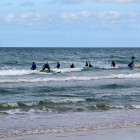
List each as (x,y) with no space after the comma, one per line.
(82,1)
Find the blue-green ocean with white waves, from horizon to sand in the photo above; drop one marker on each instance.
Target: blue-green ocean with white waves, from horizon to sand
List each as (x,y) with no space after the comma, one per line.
(72,100)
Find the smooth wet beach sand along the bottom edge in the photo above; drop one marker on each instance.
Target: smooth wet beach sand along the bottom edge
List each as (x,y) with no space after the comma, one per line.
(132,133)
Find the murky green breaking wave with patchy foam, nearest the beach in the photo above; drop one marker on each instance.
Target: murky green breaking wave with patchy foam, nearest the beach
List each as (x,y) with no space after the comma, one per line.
(52,105)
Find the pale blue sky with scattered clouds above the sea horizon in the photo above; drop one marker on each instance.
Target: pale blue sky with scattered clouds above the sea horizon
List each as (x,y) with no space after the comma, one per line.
(69,23)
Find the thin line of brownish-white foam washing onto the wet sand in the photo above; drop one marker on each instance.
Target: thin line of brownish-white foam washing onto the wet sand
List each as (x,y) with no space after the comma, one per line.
(62,130)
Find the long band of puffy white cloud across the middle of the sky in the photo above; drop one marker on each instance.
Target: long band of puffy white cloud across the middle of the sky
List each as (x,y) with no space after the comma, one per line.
(84,19)
